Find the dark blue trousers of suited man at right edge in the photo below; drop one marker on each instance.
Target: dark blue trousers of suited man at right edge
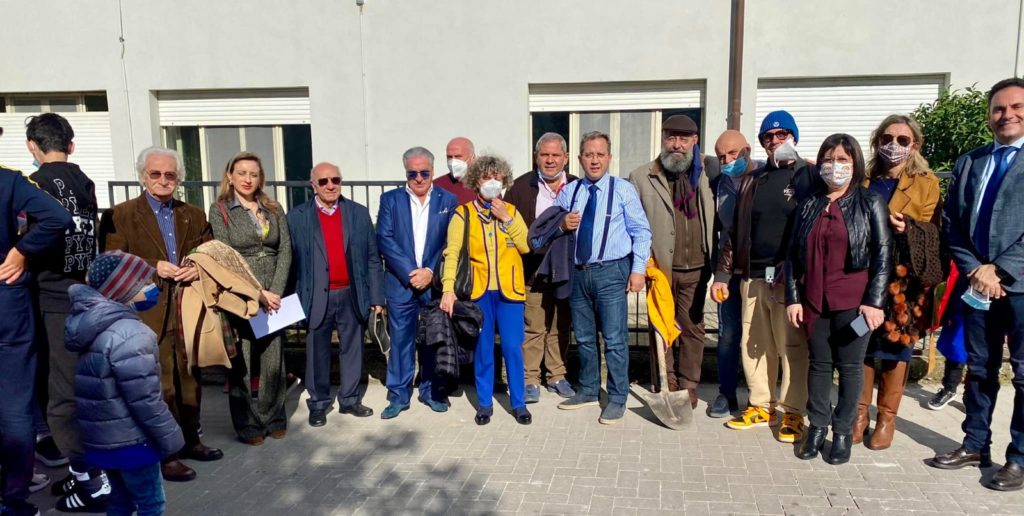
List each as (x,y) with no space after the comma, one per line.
(985,333)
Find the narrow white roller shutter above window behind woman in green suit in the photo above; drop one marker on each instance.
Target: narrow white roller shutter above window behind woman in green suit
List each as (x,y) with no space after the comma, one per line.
(250,108)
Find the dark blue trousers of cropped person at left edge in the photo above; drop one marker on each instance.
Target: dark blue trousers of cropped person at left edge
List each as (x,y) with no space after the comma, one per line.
(18,373)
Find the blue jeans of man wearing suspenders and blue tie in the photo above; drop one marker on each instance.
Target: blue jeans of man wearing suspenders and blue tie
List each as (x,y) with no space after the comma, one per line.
(600,294)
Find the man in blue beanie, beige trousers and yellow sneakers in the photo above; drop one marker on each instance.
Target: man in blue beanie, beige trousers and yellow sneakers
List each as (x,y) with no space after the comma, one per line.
(755,249)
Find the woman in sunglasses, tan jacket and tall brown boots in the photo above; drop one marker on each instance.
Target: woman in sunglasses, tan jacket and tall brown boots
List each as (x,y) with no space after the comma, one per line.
(901,177)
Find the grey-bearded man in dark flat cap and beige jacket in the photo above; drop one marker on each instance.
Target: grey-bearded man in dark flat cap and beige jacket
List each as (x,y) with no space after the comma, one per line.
(675,192)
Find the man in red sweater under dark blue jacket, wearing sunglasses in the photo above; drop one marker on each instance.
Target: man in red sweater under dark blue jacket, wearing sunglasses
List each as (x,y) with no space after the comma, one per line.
(338,280)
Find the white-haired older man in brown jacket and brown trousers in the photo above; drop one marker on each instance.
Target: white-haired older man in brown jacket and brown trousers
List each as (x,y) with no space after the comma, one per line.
(162,231)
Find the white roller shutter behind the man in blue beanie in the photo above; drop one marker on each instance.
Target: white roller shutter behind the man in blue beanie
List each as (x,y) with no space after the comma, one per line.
(824,107)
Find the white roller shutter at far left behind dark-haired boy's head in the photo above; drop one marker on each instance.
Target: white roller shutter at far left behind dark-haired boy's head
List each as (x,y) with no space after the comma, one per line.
(93,147)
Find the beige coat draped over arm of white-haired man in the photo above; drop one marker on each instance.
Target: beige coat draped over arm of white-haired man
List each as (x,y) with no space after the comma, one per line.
(226,286)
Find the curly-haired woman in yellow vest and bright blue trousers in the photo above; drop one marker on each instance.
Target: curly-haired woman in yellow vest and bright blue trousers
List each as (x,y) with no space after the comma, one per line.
(497,243)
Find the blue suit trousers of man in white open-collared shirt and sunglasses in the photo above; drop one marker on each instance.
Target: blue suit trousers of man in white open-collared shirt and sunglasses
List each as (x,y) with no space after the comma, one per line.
(402,323)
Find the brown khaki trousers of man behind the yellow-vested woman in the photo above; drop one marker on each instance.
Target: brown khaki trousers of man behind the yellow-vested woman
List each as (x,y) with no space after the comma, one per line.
(547,339)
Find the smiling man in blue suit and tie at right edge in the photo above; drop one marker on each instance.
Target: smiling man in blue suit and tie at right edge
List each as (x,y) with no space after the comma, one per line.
(985,226)
